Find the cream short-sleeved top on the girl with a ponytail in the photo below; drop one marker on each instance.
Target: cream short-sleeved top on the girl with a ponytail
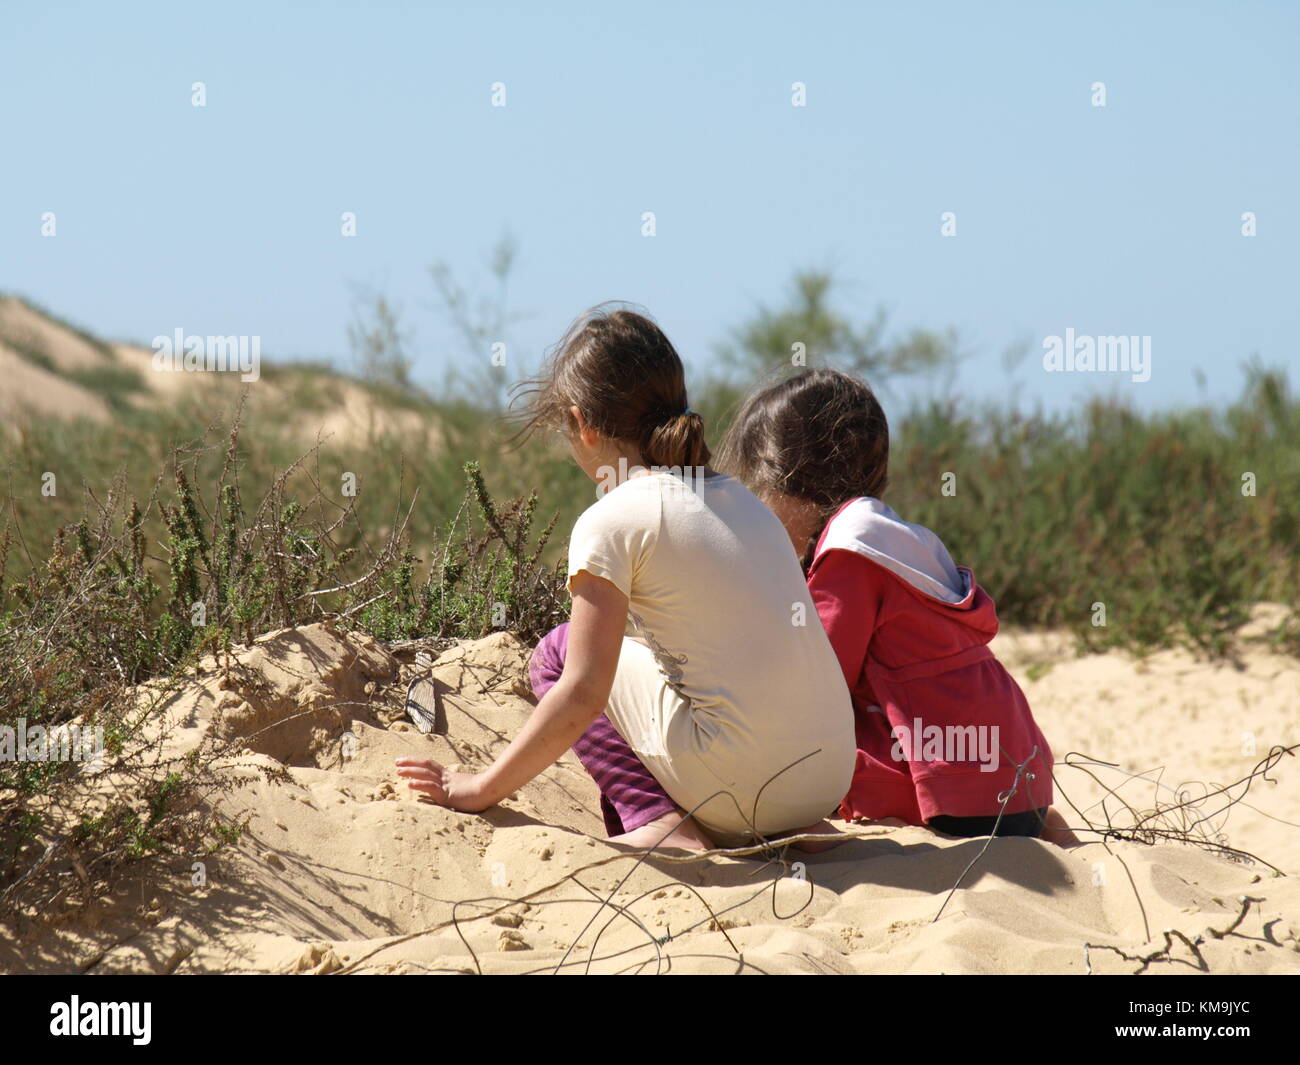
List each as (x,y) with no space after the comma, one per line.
(717,592)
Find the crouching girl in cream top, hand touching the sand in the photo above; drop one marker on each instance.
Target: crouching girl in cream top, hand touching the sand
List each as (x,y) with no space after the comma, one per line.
(692,635)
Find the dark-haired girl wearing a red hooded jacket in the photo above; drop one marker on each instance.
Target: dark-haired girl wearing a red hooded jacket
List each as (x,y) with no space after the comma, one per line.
(944,734)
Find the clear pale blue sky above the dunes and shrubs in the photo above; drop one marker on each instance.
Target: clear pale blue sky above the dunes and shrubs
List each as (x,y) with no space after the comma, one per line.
(226,219)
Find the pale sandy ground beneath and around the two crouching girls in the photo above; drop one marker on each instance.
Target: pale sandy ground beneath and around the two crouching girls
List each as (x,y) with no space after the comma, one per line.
(343,871)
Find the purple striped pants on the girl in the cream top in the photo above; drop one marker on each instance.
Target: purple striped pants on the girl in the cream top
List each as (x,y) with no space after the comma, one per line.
(630,795)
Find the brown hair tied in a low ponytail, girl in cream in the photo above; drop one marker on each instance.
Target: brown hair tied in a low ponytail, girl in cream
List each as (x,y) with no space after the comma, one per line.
(625,375)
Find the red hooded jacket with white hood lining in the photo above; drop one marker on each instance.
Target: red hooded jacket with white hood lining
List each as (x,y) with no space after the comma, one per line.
(942,726)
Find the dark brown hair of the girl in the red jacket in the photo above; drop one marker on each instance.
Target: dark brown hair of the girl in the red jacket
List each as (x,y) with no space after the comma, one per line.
(820,436)
